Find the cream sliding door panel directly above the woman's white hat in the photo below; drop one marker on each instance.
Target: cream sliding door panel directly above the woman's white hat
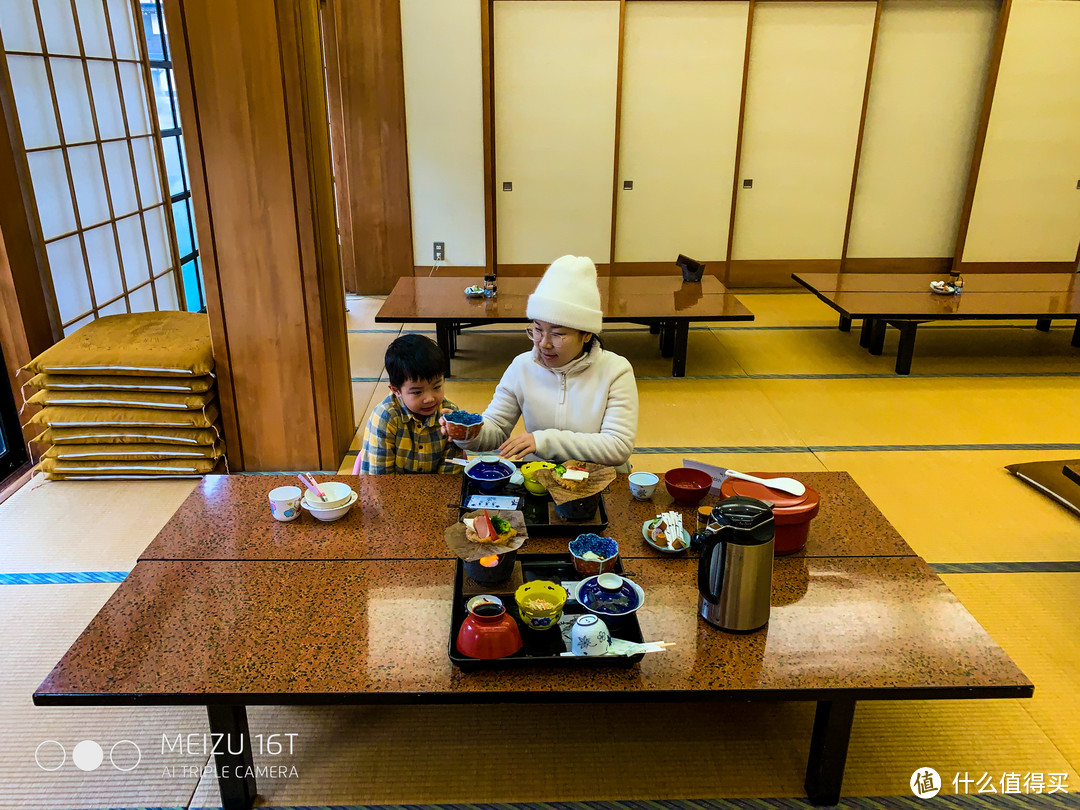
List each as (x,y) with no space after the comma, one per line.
(556,84)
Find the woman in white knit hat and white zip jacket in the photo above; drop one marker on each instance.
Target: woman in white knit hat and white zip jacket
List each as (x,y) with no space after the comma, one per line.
(579,401)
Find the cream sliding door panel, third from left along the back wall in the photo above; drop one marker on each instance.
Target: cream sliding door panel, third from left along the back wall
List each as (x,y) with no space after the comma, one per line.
(804,101)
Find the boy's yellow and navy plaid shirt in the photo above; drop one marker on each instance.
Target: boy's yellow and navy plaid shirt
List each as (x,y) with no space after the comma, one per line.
(398,441)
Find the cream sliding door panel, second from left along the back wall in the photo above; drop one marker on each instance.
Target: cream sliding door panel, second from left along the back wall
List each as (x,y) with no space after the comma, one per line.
(682,84)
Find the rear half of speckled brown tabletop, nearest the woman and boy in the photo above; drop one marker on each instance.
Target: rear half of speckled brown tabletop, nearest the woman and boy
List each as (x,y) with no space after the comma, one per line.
(404,518)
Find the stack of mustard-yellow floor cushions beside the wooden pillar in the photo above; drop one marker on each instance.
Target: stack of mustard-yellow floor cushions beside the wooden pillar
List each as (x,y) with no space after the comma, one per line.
(130,397)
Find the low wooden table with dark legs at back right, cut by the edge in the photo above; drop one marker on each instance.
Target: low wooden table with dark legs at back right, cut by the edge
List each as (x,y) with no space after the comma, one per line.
(904,301)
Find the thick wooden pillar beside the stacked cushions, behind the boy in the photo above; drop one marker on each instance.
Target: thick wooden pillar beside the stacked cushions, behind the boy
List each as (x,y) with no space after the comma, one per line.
(253,104)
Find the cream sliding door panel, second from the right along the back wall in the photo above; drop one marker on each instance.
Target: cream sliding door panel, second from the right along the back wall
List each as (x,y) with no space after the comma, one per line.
(926,94)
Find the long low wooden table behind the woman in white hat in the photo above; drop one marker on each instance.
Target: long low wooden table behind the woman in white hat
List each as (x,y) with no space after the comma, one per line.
(666,304)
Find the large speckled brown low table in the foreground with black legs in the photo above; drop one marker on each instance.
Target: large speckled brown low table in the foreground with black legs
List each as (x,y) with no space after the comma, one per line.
(229,610)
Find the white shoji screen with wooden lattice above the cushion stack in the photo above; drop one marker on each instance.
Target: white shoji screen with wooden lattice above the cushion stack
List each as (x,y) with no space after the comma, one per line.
(80,97)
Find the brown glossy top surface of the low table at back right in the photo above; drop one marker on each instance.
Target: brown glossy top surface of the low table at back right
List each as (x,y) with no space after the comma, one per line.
(921,282)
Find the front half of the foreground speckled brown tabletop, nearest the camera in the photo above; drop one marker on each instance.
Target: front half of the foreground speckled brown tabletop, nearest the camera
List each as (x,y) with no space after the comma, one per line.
(379,631)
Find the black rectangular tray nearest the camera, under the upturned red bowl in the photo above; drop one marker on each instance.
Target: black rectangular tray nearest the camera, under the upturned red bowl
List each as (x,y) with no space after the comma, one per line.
(543,647)
